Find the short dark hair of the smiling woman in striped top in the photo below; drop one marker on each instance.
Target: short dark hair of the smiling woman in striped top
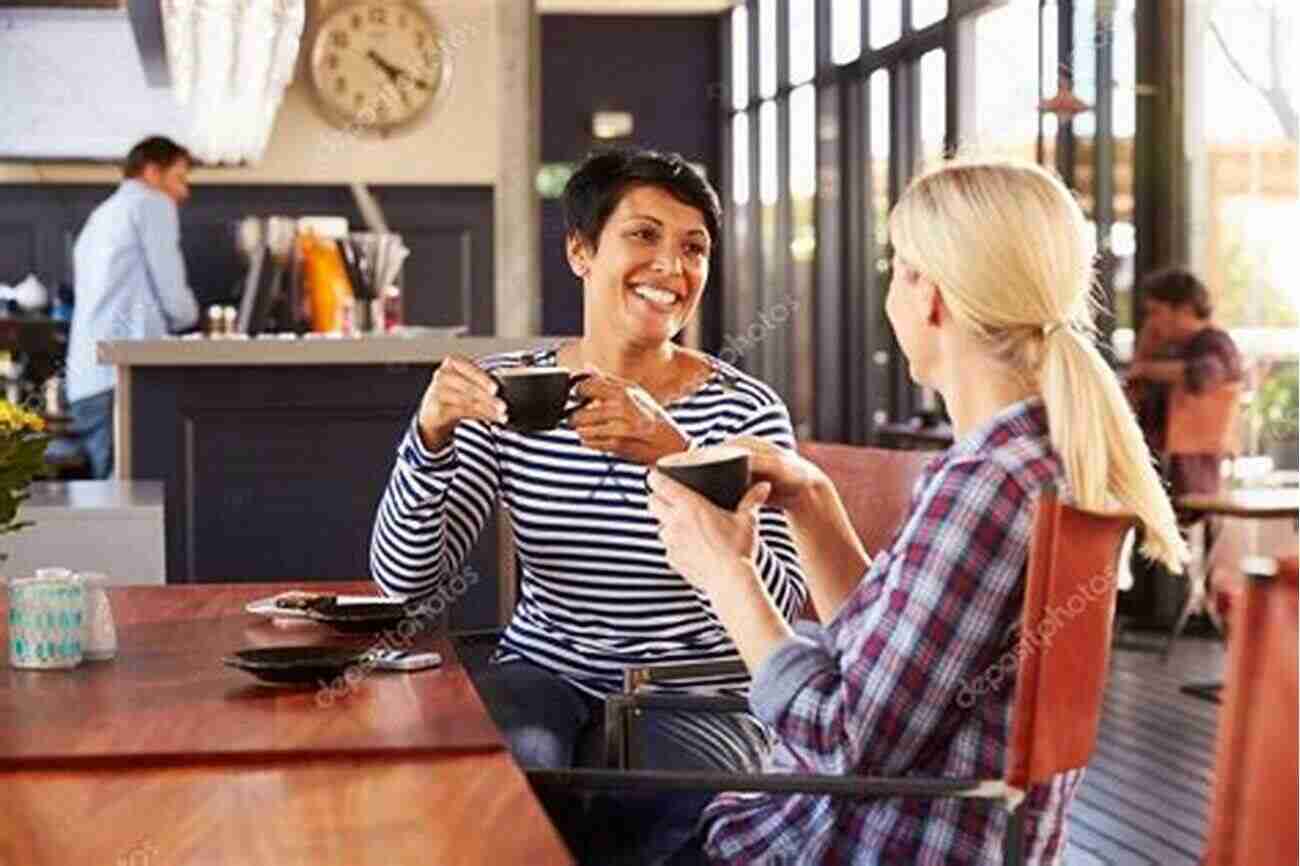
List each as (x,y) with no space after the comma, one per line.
(599,185)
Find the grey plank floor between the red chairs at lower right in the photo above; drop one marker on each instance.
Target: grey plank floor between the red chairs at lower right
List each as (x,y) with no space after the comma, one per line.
(1146,795)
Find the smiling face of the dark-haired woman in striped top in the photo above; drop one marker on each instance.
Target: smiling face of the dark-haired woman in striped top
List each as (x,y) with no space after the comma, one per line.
(645,279)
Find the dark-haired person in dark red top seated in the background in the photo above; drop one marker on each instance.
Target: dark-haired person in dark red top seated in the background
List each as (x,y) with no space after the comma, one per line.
(1180,348)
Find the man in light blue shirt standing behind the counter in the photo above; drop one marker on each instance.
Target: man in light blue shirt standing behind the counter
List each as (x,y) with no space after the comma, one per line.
(131,284)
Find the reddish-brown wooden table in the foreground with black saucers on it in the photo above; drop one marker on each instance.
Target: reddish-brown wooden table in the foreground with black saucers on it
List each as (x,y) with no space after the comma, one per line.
(166,756)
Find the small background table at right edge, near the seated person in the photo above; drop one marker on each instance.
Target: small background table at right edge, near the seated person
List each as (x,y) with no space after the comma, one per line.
(1253,504)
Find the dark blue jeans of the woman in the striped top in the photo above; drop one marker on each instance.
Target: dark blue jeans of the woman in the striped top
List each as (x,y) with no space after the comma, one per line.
(548,724)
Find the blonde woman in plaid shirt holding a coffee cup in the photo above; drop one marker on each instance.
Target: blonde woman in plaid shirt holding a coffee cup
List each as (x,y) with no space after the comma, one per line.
(991,304)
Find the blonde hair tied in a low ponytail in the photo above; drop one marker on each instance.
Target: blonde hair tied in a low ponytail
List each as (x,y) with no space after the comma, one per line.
(1012,254)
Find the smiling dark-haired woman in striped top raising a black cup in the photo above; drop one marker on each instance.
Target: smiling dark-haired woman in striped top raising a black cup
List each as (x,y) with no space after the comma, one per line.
(596,594)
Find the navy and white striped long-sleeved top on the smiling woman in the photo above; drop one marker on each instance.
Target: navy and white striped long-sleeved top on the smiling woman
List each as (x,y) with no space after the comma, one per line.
(596,592)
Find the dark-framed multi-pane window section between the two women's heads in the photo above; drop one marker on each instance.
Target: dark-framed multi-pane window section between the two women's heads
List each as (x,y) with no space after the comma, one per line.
(835,105)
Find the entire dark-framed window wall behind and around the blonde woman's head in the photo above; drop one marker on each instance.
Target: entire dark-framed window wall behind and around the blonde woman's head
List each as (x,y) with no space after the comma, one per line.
(838,105)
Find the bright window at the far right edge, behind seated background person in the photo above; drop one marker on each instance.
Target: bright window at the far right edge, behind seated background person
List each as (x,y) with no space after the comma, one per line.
(1243,198)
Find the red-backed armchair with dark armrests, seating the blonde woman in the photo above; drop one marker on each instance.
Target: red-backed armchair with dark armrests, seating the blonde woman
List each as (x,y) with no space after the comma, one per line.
(1059,687)
